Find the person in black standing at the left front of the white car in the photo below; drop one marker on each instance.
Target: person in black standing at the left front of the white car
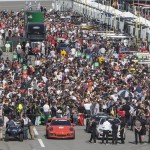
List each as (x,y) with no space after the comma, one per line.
(93,131)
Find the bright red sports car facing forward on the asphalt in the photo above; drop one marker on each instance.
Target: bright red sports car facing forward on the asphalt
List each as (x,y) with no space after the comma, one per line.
(60,128)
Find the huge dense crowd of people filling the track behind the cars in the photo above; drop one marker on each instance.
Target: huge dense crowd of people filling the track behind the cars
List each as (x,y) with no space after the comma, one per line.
(86,75)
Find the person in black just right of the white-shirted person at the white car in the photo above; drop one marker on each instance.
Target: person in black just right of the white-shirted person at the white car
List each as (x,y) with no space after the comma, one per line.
(114,133)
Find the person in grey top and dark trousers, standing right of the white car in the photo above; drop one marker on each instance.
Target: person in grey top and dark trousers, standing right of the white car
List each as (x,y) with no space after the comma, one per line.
(137,127)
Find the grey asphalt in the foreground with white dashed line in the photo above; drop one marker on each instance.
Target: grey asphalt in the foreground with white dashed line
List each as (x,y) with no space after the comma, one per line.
(79,143)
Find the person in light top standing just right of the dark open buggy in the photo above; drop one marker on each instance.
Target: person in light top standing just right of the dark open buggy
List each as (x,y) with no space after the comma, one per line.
(25,126)
